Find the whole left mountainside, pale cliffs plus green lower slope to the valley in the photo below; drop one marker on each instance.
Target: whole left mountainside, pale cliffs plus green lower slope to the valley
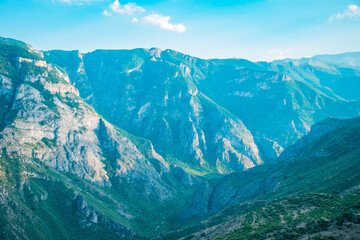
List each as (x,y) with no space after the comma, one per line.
(66,170)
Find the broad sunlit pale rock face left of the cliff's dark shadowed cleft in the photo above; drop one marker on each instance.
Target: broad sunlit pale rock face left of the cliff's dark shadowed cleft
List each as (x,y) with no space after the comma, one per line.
(64,136)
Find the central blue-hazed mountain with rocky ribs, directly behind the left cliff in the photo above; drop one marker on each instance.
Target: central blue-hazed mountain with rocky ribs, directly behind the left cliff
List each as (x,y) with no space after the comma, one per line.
(150,97)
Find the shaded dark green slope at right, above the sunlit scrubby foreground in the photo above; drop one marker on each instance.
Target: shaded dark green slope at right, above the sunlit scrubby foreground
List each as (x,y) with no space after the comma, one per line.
(328,164)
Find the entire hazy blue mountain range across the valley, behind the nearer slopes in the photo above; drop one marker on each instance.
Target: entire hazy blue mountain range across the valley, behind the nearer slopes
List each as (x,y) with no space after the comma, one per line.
(193,110)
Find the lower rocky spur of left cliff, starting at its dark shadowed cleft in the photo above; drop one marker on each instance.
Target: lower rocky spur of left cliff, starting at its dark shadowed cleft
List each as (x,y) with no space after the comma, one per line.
(131,165)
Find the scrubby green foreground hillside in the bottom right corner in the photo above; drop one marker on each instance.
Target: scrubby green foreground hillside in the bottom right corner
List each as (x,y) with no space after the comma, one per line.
(314,215)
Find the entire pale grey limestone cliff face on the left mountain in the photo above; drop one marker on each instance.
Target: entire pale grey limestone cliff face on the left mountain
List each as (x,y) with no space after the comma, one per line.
(45,119)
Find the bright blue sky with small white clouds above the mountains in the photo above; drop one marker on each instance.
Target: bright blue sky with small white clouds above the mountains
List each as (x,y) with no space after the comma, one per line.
(251,29)
